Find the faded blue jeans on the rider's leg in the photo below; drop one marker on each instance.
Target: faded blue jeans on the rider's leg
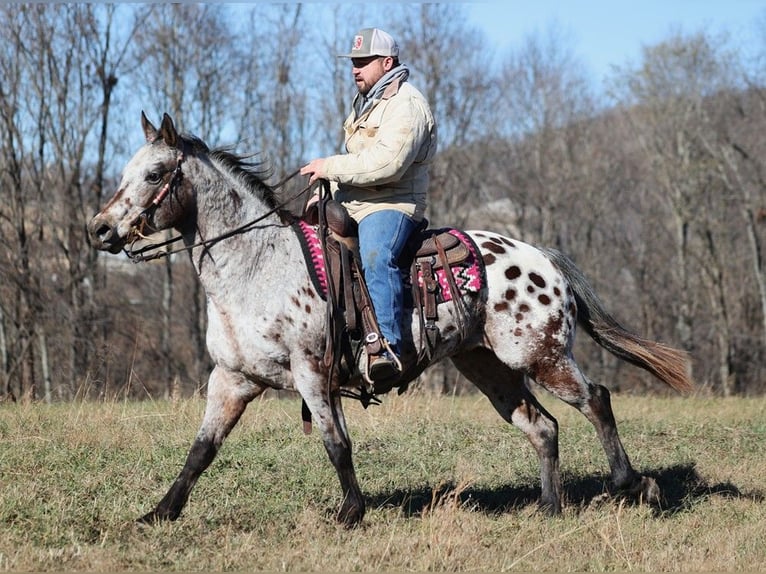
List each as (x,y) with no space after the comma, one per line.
(382,236)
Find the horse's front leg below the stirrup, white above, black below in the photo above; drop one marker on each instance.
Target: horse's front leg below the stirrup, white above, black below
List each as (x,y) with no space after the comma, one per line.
(327,412)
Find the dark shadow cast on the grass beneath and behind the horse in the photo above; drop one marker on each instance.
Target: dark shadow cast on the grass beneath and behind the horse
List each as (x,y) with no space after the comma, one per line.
(681,486)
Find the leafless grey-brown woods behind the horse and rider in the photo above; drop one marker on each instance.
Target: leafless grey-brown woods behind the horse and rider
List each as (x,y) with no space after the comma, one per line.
(653,182)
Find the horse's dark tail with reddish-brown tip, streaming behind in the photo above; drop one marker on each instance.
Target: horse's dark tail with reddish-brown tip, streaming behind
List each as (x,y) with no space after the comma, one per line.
(668,364)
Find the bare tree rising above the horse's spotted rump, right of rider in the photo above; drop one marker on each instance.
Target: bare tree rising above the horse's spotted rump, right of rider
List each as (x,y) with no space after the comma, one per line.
(546,104)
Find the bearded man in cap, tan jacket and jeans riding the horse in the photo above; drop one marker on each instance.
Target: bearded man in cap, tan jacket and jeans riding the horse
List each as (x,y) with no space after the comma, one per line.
(382,180)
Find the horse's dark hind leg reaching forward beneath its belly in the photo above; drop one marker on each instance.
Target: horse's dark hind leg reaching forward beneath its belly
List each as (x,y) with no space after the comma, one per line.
(508,393)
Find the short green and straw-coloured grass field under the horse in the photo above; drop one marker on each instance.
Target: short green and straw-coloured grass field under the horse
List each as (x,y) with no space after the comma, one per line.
(449,487)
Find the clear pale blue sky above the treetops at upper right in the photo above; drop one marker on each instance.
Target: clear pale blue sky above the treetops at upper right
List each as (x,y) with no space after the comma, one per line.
(603,33)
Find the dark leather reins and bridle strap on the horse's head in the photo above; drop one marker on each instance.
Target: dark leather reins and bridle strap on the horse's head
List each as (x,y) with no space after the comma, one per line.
(140,255)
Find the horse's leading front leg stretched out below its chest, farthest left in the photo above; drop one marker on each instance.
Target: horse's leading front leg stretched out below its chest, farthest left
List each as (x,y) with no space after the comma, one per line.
(228,395)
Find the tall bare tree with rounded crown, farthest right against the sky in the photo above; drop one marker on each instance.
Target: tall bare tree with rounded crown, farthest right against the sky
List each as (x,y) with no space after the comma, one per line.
(672,114)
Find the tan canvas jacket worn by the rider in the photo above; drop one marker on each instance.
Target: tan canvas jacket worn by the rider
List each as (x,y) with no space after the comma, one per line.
(389,150)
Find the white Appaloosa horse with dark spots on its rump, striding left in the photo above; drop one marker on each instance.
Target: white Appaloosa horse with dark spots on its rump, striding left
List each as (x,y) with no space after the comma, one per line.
(267,321)
